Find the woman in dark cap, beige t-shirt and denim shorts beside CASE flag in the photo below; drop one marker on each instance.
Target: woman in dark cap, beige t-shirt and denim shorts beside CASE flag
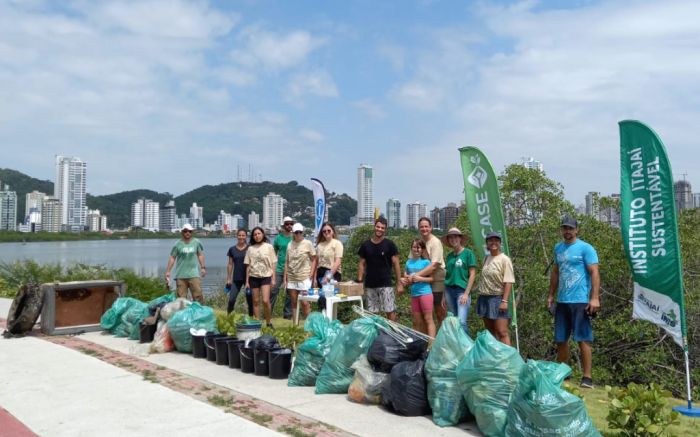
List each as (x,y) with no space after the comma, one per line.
(495,285)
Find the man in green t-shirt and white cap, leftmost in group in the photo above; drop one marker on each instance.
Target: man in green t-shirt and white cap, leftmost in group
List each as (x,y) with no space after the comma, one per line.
(188,253)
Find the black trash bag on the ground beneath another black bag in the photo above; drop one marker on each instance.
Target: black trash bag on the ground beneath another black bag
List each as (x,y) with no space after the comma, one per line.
(408,389)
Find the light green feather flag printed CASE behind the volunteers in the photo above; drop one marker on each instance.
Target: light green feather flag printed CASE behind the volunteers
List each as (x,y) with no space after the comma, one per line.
(483,201)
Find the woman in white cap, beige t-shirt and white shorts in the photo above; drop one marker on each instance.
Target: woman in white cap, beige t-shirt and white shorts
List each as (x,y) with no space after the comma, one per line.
(297,267)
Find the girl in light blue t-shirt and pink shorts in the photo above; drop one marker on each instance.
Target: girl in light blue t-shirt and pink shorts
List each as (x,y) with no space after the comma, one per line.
(421,293)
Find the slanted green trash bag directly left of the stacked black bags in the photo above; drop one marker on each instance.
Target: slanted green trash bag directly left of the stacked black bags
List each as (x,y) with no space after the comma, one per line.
(354,340)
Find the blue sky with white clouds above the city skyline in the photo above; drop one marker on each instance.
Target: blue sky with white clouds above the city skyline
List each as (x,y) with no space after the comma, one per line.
(171,95)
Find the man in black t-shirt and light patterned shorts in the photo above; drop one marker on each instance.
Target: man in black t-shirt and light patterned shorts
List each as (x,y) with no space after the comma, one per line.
(377,257)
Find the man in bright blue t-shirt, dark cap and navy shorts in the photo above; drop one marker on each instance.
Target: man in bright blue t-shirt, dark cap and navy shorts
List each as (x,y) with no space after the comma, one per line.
(576,281)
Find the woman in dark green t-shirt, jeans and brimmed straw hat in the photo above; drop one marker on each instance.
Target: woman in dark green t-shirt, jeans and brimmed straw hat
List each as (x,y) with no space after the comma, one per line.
(460,268)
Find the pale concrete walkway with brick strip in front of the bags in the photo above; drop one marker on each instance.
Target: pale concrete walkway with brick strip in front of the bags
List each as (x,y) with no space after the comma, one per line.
(65,386)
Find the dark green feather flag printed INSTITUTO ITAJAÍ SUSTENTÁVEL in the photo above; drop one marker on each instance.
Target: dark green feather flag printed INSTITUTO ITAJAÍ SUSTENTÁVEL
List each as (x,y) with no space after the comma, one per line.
(650,229)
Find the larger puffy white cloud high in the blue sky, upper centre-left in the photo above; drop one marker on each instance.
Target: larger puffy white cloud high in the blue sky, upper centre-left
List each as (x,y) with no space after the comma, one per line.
(274,51)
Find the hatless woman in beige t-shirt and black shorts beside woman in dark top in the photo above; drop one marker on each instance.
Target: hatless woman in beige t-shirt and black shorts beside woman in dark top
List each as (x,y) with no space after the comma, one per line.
(260,275)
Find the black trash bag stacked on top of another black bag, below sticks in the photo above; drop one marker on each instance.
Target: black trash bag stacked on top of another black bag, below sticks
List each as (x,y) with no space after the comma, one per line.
(387,351)
